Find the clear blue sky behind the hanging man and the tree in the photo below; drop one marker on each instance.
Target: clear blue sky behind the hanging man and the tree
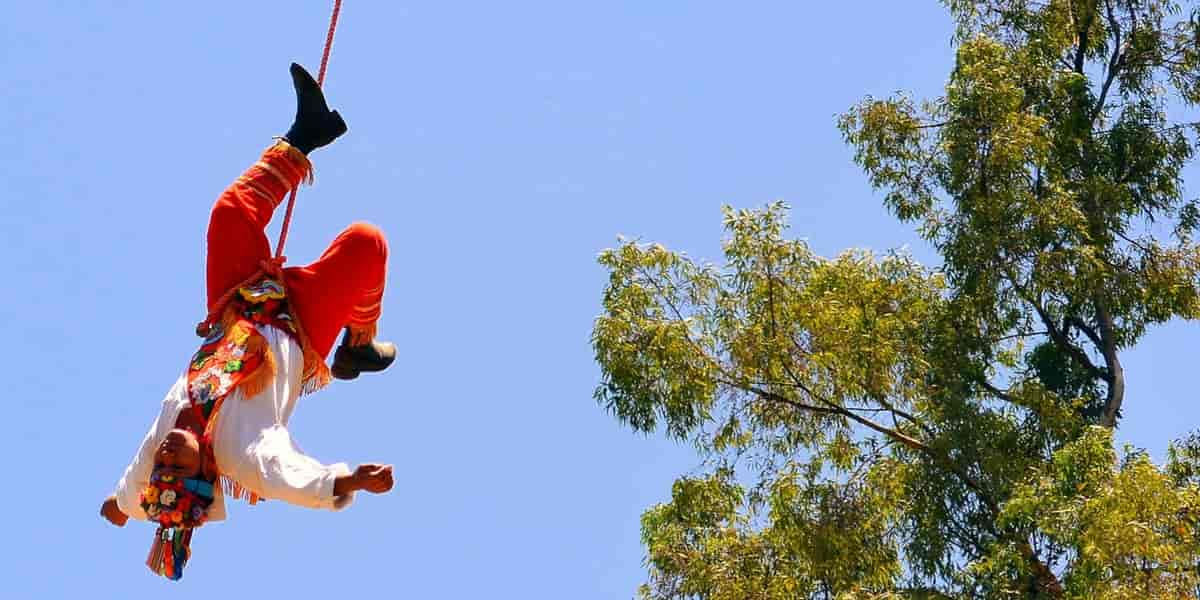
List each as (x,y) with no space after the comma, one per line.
(501,146)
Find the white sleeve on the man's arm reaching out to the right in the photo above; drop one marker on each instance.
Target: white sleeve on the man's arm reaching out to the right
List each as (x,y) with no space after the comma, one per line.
(279,470)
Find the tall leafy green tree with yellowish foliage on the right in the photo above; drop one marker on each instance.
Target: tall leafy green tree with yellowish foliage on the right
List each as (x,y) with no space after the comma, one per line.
(879,429)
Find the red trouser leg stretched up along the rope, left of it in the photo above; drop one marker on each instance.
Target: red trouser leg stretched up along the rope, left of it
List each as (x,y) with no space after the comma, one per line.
(237,242)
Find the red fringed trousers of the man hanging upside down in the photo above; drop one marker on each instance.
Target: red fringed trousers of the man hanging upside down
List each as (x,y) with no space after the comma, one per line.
(343,289)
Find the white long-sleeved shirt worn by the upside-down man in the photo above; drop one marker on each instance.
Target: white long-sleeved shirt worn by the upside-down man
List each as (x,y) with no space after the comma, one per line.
(251,443)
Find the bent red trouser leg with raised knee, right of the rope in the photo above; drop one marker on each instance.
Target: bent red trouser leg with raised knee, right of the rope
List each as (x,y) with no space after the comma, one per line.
(344,289)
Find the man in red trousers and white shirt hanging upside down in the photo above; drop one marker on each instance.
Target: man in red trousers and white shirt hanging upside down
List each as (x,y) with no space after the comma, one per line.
(223,428)
